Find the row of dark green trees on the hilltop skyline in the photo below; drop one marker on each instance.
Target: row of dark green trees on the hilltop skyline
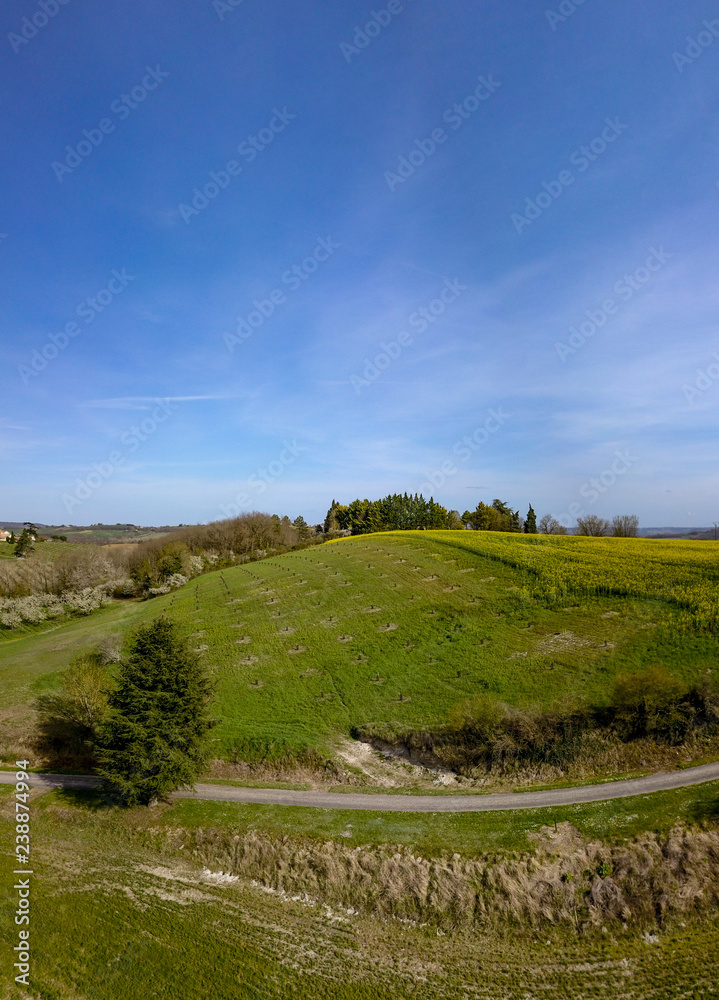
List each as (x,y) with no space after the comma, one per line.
(411,512)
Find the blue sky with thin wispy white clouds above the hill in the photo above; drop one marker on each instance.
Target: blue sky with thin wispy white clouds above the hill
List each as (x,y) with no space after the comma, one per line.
(304,251)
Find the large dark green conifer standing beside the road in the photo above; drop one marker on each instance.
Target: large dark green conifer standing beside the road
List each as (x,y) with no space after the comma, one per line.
(154,739)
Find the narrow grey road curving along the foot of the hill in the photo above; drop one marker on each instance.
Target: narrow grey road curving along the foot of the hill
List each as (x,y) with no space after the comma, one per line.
(413,803)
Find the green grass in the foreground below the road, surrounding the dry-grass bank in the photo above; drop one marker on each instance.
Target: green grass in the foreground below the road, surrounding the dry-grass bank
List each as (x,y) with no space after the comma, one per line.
(112,903)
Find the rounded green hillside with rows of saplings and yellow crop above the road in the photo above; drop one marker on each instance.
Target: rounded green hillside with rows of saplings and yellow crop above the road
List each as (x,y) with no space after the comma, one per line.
(401,627)
